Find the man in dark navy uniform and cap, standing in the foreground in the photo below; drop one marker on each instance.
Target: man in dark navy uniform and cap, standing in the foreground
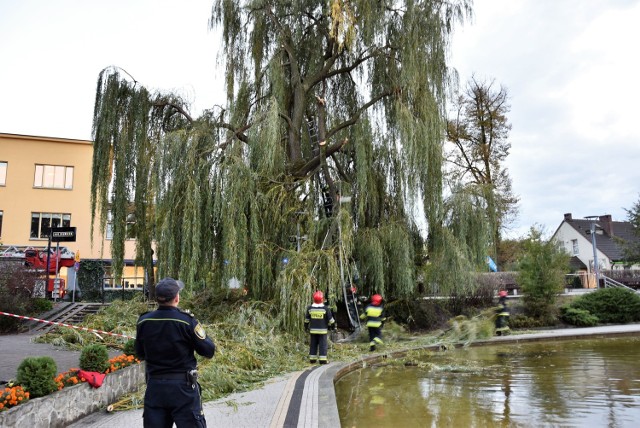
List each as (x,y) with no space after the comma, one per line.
(166,339)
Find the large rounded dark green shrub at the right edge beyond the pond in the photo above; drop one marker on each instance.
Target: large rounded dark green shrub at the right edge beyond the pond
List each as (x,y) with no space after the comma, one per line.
(611,305)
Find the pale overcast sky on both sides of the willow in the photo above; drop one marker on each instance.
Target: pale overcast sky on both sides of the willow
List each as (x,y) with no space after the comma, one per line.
(570,67)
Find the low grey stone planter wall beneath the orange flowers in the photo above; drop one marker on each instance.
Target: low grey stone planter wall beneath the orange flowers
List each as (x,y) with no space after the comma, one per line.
(73,402)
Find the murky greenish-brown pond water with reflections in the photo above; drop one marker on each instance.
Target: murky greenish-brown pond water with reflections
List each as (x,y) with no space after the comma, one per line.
(580,383)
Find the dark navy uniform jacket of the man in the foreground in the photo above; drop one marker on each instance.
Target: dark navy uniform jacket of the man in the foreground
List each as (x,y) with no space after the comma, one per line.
(167,338)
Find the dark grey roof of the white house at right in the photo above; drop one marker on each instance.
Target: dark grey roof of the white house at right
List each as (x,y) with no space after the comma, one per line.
(608,234)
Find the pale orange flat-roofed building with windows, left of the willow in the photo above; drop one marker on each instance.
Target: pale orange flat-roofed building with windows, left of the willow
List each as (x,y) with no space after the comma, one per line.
(45,182)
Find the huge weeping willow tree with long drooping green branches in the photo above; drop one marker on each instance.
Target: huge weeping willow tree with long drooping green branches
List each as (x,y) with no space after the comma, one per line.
(327,102)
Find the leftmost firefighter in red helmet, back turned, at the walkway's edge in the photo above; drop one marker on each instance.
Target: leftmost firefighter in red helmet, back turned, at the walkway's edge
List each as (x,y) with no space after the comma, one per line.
(318,320)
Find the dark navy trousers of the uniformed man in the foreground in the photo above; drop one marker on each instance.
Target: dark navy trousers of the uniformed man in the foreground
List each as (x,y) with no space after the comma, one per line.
(173,400)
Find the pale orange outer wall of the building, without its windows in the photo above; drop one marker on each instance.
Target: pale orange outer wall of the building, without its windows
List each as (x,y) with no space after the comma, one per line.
(19,197)
